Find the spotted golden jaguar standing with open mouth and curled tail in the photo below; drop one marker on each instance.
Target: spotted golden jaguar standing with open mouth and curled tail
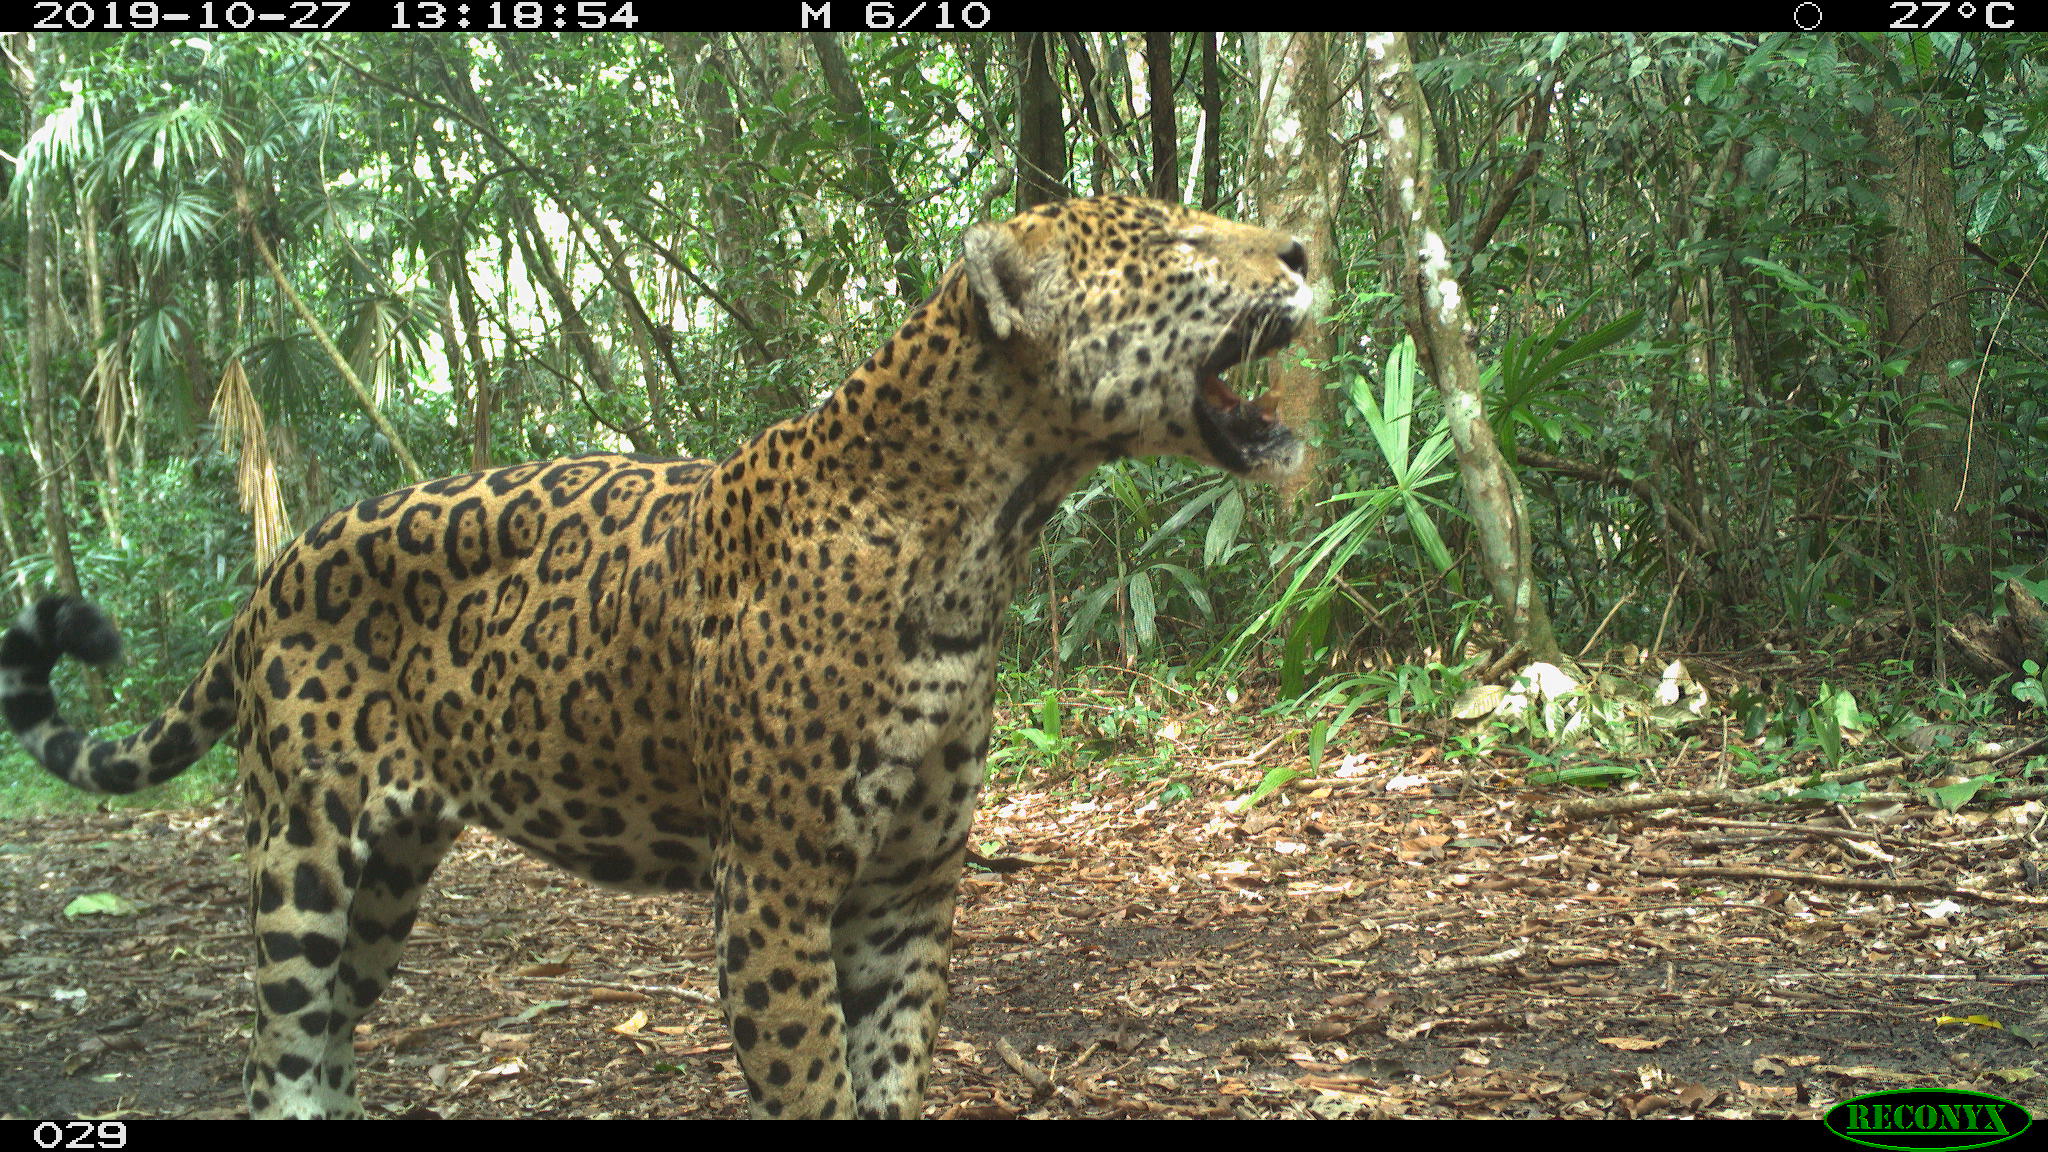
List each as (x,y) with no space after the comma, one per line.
(769,677)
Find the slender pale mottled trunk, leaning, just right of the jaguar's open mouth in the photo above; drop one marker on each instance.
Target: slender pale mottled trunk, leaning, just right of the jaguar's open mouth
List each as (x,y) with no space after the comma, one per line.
(1443,331)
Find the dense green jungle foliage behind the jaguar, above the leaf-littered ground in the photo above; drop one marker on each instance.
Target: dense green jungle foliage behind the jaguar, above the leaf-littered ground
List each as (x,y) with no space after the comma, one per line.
(1678,298)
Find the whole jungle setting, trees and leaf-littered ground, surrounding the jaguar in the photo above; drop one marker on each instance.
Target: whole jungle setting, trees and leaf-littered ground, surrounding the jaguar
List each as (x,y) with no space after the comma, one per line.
(1678,415)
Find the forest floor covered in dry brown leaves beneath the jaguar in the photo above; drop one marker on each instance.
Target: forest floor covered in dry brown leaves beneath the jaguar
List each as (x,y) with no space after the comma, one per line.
(1406,940)
